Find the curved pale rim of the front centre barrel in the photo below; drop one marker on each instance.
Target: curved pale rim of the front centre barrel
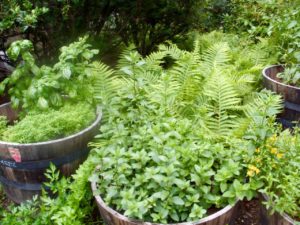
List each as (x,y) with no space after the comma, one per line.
(126,219)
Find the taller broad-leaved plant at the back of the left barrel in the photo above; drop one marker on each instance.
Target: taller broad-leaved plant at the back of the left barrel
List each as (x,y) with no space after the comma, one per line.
(31,86)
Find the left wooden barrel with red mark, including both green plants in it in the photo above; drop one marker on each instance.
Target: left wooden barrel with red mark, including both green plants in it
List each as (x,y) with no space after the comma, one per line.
(51,118)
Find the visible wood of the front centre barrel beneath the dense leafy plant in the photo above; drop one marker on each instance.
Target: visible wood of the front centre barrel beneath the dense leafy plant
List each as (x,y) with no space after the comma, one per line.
(112,217)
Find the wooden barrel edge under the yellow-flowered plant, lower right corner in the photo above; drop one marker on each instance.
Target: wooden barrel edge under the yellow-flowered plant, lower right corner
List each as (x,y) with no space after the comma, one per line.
(276,218)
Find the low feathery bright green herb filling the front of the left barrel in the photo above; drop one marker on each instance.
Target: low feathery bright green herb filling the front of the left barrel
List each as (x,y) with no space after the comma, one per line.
(50,124)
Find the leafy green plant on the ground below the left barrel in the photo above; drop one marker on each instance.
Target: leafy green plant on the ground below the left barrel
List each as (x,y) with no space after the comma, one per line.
(72,206)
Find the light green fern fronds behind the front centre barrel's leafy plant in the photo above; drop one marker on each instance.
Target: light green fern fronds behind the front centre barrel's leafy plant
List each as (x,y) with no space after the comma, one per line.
(206,84)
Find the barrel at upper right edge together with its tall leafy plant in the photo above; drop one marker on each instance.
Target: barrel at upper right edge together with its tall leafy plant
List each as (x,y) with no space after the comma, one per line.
(284,79)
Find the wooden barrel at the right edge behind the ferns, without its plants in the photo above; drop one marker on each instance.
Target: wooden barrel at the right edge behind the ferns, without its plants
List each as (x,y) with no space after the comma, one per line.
(290,94)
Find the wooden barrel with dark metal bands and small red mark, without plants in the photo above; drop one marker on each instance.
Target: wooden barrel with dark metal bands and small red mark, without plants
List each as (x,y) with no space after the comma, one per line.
(22,166)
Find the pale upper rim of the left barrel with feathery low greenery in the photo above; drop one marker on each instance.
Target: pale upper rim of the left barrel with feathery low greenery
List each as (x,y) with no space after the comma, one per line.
(59,140)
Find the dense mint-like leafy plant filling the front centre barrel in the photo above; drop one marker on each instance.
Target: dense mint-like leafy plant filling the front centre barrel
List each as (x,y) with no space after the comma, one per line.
(167,172)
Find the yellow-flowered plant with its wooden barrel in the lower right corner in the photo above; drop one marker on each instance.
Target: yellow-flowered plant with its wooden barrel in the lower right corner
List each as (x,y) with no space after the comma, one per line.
(278,160)
